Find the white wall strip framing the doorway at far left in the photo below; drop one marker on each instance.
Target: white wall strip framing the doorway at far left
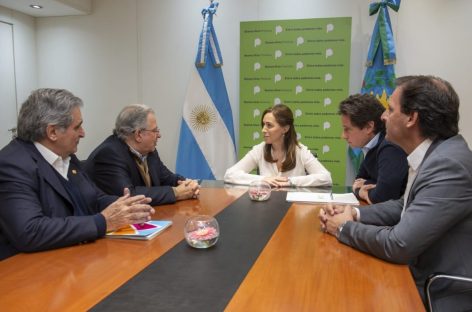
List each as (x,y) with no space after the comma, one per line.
(24,51)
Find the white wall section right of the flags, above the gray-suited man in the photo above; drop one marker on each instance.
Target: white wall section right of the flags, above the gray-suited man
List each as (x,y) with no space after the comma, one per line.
(433,37)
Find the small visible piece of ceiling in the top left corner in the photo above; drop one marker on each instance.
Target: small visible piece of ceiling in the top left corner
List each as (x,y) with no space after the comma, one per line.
(50,7)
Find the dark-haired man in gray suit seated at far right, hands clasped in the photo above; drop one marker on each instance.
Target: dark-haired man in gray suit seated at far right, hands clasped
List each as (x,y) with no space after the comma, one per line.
(430,227)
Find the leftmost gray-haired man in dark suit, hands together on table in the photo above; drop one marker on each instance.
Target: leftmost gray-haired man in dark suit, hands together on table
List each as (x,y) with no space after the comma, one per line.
(46,200)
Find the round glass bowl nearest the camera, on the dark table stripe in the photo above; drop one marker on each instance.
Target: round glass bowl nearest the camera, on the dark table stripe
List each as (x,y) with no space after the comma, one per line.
(201,231)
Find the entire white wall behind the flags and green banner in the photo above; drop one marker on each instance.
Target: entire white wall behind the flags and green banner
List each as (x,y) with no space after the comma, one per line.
(131,51)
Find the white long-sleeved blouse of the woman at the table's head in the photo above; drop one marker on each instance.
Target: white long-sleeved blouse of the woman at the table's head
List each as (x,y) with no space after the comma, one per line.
(308,170)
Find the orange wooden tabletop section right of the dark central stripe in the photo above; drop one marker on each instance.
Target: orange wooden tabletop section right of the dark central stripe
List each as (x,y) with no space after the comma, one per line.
(303,269)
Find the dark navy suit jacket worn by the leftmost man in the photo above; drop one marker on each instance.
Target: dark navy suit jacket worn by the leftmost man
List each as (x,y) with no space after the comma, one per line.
(36,211)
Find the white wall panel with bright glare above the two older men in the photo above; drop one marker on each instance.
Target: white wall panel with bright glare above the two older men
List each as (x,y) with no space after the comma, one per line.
(95,57)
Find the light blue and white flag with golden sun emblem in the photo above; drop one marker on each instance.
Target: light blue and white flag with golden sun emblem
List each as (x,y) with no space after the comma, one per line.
(207,144)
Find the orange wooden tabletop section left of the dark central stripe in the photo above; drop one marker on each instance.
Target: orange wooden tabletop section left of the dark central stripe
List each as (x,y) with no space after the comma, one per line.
(76,278)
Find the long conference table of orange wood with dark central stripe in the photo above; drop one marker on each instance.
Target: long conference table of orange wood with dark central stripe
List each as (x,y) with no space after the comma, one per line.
(290,266)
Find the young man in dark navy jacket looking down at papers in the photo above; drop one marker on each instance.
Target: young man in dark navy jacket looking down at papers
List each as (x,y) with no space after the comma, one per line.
(383,172)
